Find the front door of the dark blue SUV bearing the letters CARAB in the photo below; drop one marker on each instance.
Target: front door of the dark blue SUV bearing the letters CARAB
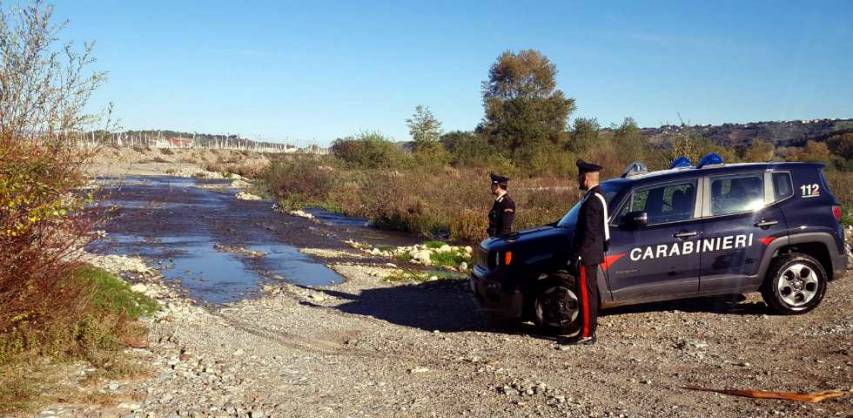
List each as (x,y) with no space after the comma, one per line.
(651,262)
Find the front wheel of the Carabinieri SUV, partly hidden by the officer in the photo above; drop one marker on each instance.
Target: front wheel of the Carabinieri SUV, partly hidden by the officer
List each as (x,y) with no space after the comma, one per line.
(555,306)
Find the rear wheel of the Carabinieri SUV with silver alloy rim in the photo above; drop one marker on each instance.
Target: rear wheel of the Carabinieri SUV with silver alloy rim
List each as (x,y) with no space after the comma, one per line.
(795,284)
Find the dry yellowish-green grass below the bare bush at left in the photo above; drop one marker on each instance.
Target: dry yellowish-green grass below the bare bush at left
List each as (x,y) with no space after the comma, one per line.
(35,357)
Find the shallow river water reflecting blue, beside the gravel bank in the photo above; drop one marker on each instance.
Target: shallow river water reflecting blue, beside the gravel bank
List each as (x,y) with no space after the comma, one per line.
(218,248)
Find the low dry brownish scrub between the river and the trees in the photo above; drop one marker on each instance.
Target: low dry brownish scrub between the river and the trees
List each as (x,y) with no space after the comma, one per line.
(430,202)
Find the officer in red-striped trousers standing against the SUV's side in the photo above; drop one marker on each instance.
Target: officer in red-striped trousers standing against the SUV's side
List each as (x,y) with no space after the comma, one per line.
(590,243)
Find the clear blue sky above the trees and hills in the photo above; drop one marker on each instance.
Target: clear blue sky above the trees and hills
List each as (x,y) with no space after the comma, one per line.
(315,71)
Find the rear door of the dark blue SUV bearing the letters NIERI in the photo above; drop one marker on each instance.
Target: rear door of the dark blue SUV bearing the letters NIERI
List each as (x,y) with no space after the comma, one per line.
(740,218)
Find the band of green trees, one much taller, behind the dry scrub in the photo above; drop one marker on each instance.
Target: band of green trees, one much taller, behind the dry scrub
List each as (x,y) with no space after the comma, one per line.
(526,131)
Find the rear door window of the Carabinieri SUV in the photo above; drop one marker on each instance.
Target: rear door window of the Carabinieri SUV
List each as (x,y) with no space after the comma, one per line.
(735,194)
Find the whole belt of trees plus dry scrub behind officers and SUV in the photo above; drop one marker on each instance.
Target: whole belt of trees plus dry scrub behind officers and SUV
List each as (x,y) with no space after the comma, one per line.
(437,185)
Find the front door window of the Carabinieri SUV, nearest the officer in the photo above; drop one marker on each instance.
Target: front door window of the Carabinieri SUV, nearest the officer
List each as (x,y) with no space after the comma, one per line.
(671,202)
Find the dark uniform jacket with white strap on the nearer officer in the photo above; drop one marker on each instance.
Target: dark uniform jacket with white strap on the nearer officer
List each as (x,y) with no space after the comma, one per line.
(591,233)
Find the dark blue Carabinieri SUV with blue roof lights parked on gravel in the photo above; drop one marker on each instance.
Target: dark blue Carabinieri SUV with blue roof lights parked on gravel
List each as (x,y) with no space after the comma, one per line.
(686,232)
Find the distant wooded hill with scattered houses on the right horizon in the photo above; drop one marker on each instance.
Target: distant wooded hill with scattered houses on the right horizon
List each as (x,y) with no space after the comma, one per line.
(781,134)
